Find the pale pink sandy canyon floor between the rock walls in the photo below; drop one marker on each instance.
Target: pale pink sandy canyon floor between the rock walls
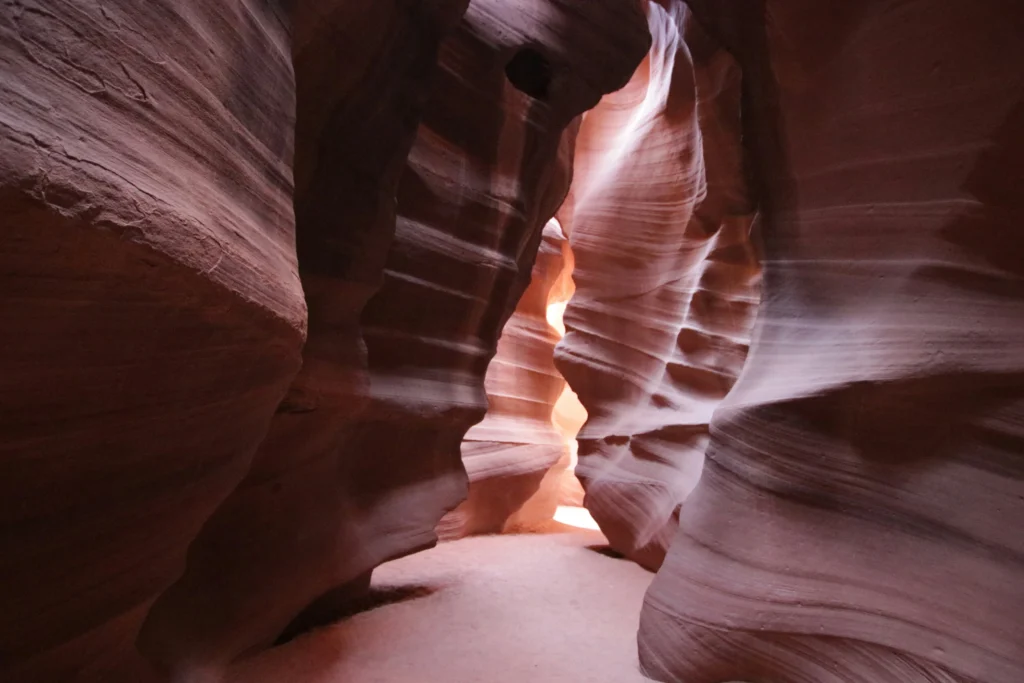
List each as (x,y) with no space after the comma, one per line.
(494,610)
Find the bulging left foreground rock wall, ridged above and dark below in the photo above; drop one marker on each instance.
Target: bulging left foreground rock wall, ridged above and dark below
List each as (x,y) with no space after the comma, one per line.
(151,313)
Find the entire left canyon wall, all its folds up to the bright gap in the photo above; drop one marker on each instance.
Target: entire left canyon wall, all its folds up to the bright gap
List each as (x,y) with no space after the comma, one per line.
(146,178)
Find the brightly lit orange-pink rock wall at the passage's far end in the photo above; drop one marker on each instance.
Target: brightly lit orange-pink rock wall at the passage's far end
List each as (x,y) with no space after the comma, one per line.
(511,452)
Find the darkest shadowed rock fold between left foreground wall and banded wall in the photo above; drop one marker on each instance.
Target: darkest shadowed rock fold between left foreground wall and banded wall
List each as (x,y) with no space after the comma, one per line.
(295,529)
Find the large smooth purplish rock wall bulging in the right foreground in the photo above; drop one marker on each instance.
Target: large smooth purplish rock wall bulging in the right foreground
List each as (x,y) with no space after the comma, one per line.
(860,516)
